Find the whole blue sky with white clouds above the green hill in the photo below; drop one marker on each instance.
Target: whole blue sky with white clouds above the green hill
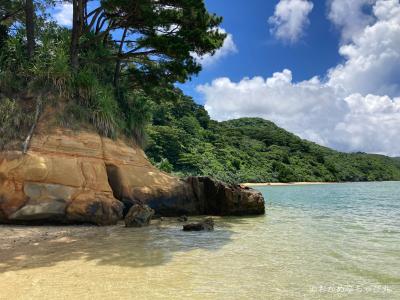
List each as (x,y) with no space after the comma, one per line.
(326,70)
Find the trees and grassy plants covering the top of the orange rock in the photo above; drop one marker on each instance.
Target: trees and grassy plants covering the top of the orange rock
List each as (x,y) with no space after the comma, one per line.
(105,70)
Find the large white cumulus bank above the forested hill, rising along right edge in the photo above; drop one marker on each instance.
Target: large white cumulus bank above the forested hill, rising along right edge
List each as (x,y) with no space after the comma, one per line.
(355,108)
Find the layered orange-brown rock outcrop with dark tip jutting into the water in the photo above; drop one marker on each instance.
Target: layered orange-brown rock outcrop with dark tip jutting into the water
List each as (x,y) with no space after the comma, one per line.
(81,177)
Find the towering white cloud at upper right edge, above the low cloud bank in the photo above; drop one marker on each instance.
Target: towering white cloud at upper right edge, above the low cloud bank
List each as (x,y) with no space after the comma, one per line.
(373,58)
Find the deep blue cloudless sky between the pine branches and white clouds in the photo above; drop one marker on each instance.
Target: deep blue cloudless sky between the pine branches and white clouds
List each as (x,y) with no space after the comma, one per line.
(259,53)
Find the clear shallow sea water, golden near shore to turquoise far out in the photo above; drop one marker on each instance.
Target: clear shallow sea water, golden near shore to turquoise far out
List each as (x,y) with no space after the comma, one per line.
(339,241)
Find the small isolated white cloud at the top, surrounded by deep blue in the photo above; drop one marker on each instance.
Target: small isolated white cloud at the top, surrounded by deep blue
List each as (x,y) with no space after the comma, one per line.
(290,19)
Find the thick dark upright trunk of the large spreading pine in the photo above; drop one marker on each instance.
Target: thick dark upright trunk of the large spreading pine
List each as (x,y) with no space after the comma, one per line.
(77,27)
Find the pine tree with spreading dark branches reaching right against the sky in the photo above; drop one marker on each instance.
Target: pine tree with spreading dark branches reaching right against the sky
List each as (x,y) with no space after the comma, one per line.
(152,39)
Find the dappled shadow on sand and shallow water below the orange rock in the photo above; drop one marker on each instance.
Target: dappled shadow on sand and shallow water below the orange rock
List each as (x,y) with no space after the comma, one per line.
(115,245)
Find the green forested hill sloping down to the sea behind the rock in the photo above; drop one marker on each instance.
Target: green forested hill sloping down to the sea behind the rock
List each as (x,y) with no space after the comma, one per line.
(183,139)
